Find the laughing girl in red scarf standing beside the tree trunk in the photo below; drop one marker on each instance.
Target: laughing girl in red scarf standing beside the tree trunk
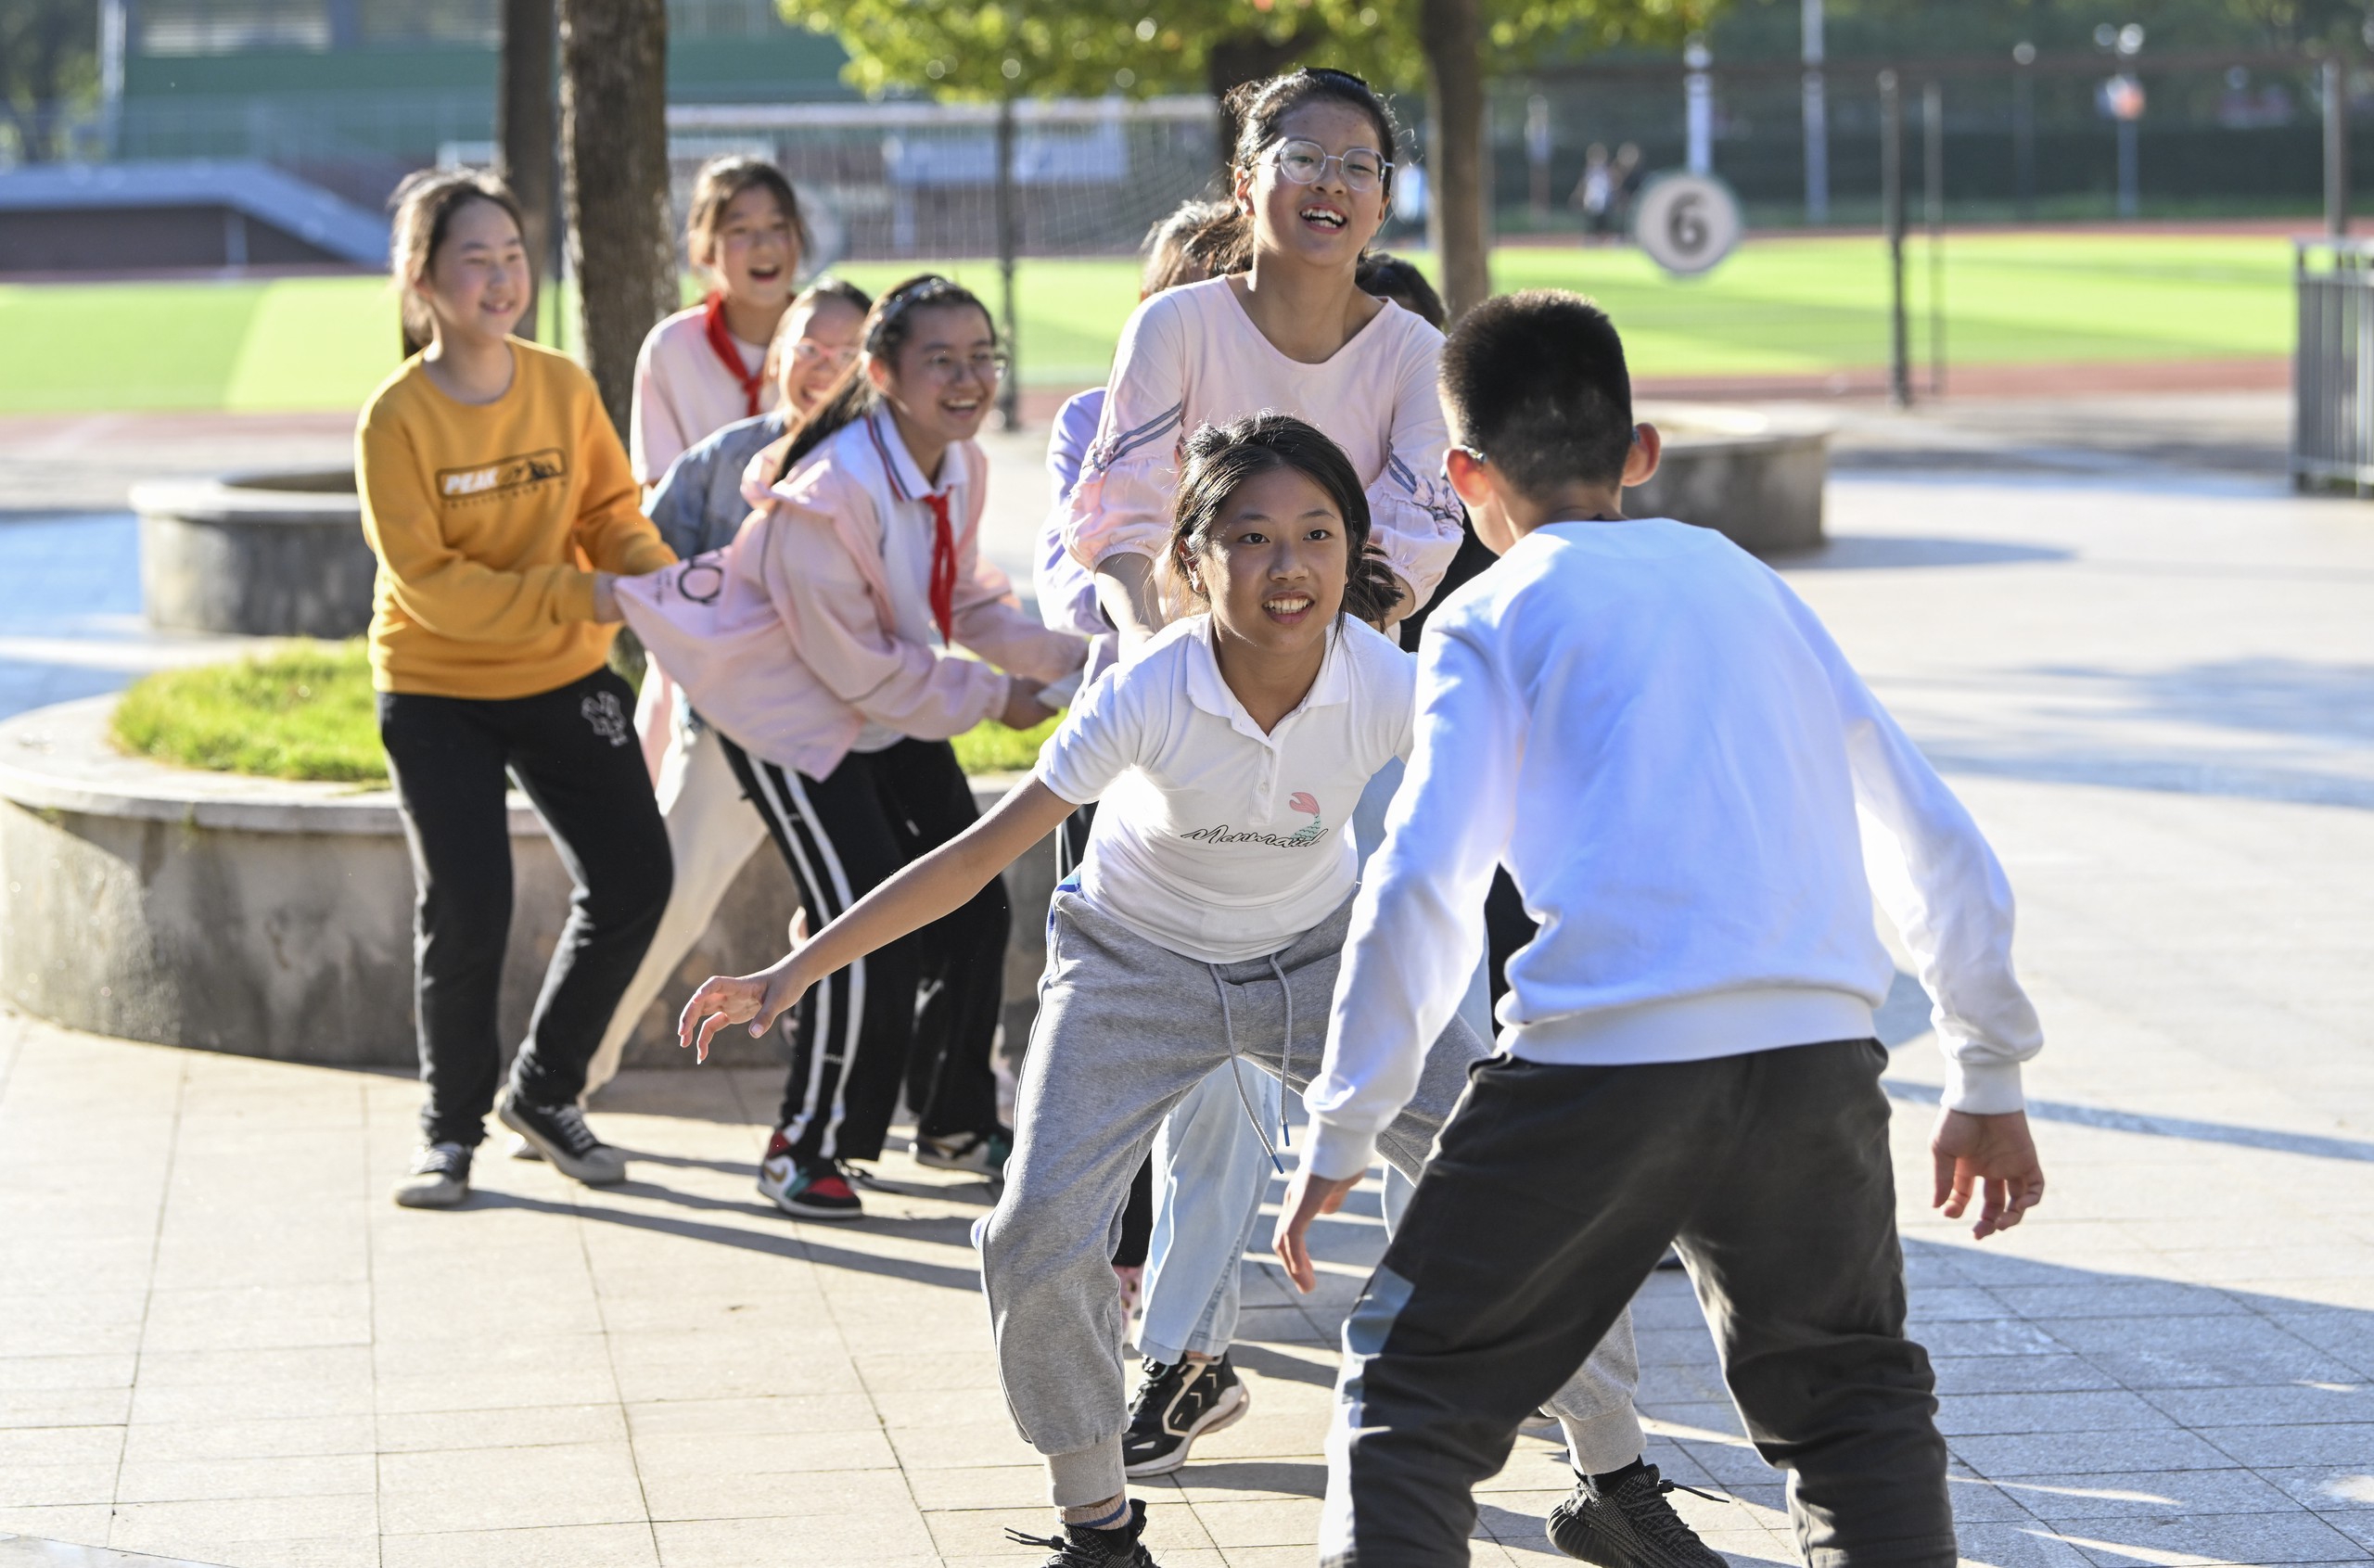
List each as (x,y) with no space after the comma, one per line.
(706,366)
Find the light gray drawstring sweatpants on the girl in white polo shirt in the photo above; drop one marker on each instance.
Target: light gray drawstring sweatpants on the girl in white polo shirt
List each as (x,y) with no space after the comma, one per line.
(1124,1031)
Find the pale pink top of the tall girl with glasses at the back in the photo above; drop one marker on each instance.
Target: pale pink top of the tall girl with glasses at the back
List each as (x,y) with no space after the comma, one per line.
(1193,357)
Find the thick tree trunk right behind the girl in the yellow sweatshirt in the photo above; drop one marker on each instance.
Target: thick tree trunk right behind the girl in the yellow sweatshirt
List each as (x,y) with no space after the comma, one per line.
(614,134)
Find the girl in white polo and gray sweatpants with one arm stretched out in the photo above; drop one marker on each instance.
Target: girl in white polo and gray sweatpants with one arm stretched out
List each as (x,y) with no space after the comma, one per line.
(1202,926)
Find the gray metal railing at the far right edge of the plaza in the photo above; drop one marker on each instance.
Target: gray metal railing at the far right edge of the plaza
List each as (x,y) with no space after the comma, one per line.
(2332,371)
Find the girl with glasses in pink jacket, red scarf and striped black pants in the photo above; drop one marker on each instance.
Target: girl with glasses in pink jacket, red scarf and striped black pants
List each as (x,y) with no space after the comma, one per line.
(820,644)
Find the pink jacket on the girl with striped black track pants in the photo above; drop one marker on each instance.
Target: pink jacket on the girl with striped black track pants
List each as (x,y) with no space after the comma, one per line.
(811,635)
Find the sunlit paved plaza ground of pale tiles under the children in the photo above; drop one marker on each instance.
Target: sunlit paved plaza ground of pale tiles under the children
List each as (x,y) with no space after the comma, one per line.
(2140,661)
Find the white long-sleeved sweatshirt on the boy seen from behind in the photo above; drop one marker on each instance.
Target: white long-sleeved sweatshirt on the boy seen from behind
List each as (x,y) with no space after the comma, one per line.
(1684,777)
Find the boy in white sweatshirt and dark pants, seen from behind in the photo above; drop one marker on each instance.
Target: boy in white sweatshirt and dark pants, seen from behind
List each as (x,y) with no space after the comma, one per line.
(1684,779)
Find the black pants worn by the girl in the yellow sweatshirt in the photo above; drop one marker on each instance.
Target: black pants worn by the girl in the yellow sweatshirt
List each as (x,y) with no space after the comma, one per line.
(576,758)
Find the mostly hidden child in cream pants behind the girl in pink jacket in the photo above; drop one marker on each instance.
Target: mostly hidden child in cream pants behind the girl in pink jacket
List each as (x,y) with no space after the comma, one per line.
(699,506)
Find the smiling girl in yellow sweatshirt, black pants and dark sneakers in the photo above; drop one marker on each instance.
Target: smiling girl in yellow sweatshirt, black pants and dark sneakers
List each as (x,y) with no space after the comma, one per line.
(500,504)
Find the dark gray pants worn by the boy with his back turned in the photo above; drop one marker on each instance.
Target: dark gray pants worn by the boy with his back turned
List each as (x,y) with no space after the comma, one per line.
(1551,1199)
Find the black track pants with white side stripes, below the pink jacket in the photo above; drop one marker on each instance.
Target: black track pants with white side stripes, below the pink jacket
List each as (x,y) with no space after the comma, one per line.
(920,1012)
